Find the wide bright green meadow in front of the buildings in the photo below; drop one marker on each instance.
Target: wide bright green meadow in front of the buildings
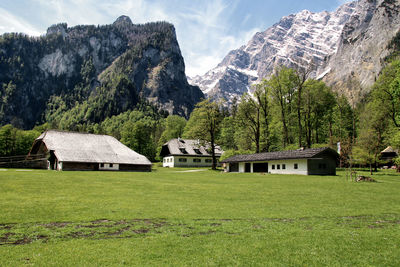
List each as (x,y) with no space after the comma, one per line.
(174,218)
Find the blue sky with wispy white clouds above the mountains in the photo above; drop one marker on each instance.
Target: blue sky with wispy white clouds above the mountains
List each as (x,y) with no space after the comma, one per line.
(207,29)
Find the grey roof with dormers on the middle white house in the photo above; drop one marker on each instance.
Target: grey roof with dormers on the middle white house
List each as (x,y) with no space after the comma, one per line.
(188,147)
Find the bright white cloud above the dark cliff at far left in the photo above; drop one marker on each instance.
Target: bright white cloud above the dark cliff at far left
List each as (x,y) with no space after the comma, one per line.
(11,23)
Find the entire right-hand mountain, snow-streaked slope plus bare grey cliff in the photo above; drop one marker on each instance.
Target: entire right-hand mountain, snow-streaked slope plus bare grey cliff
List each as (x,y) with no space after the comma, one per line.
(347,48)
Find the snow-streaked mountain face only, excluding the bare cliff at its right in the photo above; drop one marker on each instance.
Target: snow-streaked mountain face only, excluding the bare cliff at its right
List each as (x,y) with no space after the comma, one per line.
(295,41)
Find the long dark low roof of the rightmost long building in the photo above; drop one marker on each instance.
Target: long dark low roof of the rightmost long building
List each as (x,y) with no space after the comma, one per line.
(280,155)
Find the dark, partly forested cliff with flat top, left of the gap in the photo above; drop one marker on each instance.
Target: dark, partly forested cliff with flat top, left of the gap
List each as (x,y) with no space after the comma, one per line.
(81,62)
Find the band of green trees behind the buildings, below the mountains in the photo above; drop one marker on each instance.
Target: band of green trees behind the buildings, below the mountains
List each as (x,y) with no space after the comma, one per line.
(286,111)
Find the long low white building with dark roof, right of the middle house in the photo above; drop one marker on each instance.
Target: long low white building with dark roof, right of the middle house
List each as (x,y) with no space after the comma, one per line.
(313,161)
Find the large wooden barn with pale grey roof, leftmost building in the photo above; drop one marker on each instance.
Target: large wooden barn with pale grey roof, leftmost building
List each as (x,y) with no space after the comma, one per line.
(82,151)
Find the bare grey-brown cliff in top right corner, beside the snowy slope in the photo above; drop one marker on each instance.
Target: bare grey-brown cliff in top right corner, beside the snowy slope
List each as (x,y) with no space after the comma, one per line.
(363,47)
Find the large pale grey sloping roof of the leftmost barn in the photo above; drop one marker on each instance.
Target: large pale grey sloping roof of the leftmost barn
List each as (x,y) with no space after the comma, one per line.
(90,148)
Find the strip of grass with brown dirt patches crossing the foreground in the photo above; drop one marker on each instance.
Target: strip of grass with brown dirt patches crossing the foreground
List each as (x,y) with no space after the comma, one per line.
(20,234)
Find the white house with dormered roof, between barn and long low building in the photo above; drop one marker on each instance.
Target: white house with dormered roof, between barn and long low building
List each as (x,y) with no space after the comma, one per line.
(187,153)
